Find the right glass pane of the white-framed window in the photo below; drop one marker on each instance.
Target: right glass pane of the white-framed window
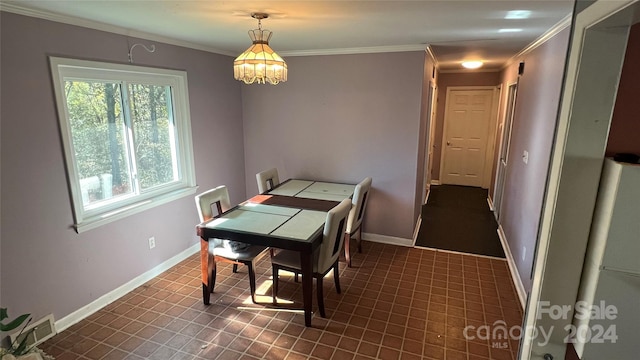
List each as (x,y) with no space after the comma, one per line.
(153,134)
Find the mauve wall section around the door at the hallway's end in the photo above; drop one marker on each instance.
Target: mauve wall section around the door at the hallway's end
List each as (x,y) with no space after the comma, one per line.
(445,80)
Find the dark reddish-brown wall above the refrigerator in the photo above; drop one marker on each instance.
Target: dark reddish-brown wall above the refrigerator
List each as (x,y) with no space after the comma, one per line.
(624,135)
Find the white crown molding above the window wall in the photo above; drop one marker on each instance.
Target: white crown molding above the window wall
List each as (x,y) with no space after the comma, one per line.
(71,20)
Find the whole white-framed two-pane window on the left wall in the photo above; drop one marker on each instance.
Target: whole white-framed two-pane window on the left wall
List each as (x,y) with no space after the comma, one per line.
(126,133)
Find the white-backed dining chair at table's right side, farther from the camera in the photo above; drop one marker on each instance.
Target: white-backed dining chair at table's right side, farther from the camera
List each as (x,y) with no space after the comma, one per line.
(356,215)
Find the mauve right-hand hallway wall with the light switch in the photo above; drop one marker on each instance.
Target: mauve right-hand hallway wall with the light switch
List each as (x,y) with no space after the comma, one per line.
(533,130)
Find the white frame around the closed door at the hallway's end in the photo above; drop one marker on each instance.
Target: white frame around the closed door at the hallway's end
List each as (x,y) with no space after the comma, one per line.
(491,134)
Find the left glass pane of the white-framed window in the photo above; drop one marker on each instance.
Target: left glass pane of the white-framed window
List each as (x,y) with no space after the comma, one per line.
(99,140)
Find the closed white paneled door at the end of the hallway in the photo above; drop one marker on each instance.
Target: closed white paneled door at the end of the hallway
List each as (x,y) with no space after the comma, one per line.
(468,116)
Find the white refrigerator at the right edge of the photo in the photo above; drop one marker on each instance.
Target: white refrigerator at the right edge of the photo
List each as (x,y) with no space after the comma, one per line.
(606,322)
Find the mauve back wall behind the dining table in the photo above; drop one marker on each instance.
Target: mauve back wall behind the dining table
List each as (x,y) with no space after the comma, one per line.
(342,118)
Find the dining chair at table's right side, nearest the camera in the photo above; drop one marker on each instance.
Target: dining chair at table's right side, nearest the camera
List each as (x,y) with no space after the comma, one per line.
(325,257)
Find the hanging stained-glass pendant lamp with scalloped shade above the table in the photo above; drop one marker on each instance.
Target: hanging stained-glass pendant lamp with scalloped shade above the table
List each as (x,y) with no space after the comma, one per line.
(259,63)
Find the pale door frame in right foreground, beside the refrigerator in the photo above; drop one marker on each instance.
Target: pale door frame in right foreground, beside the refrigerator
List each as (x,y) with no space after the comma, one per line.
(599,37)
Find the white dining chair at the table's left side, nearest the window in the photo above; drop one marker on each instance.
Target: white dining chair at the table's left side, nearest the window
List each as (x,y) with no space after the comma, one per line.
(226,250)
